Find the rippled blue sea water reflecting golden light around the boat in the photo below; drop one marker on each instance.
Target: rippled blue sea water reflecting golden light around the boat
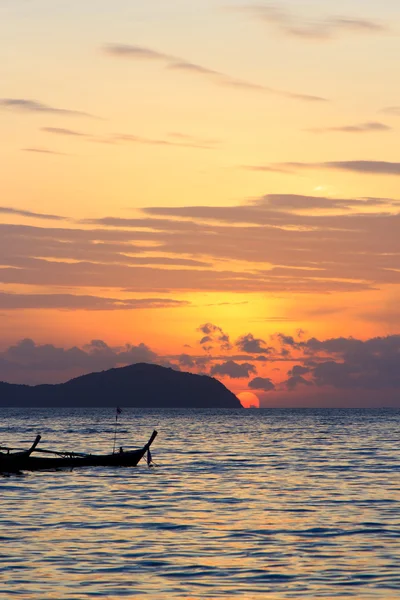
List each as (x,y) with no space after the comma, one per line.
(242,504)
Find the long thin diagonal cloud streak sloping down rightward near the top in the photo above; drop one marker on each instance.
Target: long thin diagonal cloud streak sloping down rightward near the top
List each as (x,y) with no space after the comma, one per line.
(216,77)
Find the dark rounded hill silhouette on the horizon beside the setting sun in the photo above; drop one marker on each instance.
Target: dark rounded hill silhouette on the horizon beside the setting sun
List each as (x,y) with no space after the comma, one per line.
(139,385)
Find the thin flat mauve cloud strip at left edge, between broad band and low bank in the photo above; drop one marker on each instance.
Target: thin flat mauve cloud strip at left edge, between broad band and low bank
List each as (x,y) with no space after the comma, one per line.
(10,301)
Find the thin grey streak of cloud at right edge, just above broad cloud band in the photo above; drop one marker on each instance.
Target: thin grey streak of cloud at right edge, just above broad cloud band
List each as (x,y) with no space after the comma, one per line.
(375,167)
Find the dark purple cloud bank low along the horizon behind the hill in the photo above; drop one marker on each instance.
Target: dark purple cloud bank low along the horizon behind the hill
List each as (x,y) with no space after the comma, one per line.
(333,368)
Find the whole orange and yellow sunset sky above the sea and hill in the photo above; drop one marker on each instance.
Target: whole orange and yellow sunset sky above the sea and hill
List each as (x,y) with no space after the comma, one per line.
(211,186)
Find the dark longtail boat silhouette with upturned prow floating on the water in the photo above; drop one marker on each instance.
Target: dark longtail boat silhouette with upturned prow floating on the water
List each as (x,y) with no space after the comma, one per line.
(14,460)
